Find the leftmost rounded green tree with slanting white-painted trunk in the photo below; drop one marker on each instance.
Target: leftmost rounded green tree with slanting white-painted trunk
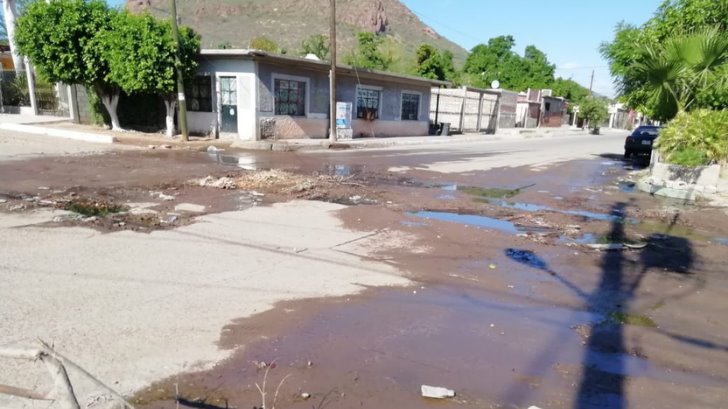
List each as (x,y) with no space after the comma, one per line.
(61,40)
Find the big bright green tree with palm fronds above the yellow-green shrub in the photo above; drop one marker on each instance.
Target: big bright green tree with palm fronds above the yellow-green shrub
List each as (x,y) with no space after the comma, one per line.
(640,57)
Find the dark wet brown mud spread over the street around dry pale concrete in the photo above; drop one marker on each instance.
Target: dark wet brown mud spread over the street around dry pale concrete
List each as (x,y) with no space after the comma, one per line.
(506,317)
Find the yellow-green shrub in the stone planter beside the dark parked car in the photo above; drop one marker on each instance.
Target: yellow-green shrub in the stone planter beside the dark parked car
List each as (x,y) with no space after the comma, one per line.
(696,136)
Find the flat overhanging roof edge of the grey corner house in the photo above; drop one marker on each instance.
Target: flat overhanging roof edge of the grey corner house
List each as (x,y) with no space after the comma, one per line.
(316,65)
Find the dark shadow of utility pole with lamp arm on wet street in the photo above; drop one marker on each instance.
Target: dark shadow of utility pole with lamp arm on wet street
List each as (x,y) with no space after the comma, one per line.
(602,382)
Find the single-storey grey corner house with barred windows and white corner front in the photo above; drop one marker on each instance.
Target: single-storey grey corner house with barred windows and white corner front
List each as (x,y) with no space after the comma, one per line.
(252,95)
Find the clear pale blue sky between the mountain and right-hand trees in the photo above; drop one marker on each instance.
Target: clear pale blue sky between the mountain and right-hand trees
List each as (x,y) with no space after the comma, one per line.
(568,31)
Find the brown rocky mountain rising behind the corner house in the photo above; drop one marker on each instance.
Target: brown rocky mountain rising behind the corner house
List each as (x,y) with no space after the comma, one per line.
(289,22)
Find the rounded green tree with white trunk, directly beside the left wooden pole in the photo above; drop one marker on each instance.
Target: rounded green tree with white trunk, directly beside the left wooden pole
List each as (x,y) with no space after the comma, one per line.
(140,50)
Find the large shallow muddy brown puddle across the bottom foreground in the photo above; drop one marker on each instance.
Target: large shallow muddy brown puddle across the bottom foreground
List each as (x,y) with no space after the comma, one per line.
(491,350)
